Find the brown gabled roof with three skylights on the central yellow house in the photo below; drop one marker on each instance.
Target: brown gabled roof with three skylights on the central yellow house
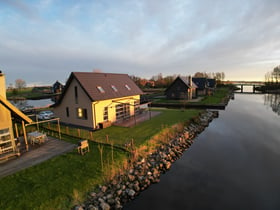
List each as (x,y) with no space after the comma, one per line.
(112,85)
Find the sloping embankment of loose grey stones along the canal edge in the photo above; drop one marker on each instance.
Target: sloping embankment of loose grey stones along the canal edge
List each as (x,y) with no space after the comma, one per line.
(146,171)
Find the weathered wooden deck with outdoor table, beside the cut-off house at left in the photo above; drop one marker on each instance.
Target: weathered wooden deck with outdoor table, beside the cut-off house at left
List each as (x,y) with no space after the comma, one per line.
(51,148)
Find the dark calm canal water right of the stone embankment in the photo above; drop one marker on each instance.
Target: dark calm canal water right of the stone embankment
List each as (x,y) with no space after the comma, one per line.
(233,164)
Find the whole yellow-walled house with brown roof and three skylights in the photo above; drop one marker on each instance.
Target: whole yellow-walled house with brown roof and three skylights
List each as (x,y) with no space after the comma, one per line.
(95,100)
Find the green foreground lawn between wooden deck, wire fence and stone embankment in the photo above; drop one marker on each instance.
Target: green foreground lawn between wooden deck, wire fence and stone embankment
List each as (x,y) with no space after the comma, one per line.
(58,183)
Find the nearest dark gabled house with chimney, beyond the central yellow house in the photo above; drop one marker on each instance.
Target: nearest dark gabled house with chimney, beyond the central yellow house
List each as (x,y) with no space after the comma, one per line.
(181,88)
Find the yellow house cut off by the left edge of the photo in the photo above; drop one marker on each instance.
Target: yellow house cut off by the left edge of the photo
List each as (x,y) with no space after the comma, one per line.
(7,111)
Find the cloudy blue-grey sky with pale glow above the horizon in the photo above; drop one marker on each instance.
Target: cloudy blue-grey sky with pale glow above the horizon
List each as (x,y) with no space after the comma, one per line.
(42,41)
